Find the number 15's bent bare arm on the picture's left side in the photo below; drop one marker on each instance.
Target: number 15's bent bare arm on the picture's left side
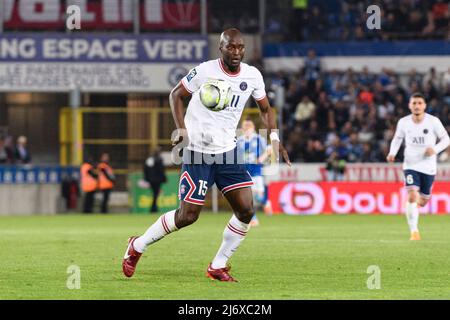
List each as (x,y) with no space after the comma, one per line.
(177,106)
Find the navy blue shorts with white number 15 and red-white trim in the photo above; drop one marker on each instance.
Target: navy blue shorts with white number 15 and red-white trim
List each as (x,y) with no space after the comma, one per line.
(200,171)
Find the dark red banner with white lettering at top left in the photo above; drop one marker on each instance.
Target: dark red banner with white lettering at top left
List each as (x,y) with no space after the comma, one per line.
(102,15)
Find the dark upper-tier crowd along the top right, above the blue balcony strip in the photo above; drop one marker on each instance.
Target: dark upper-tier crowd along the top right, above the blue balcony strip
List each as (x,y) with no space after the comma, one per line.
(336,20)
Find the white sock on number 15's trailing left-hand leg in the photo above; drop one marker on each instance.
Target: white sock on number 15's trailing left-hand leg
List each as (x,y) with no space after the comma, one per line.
(162,227)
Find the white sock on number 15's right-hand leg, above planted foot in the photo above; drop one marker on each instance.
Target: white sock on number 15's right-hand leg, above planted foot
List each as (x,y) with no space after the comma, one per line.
(233,235)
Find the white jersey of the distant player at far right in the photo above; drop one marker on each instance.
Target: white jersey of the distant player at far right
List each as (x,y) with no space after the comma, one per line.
(418,137)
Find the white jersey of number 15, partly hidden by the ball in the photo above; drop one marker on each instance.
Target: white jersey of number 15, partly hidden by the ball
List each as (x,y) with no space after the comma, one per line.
(215,131)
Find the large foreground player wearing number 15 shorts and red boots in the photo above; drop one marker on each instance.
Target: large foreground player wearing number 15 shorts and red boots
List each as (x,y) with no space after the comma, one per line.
(212,135)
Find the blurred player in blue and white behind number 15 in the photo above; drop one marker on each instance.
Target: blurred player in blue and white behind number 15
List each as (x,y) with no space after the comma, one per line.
(255,150)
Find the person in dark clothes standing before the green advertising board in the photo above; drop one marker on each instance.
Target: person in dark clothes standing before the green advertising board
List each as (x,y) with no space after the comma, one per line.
(154,174)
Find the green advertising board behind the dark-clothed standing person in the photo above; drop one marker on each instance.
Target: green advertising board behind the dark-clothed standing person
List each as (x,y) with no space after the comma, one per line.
(141,197)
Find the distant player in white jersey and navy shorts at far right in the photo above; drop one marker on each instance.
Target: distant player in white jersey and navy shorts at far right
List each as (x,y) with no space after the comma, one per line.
(420,131)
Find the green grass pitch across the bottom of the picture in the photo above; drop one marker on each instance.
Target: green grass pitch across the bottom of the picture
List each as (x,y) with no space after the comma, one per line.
(286,257)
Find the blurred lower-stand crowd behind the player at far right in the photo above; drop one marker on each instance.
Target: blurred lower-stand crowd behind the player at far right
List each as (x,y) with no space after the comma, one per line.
(351,114)
